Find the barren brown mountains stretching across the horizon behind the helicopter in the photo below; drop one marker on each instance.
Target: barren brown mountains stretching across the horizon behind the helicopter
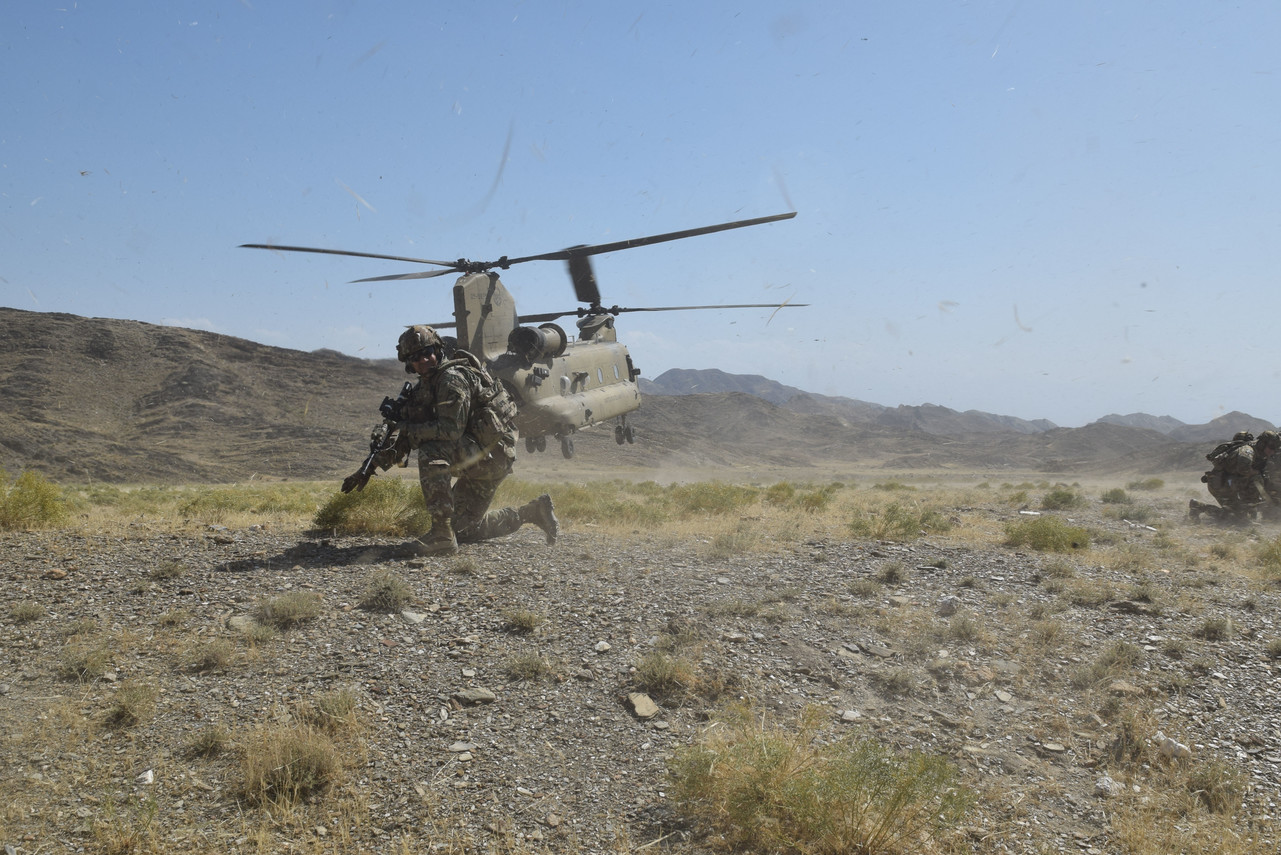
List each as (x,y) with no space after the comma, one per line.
(94,399)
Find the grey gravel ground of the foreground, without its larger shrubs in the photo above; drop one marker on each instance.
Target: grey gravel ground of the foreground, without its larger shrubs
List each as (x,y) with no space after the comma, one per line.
(471,730)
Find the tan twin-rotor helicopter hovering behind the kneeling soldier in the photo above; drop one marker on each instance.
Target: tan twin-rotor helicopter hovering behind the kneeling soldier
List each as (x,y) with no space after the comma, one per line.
(560,385)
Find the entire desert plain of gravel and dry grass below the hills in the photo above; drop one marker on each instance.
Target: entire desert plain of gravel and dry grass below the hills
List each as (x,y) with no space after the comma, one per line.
(175,656)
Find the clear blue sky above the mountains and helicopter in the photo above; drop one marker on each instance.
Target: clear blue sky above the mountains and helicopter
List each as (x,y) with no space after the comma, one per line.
(1048,211)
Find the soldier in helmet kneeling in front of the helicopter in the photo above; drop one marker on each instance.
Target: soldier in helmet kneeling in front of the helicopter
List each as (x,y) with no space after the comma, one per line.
(463,425)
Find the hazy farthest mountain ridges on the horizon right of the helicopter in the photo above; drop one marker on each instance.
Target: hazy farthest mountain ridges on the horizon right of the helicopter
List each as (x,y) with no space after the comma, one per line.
(928,419)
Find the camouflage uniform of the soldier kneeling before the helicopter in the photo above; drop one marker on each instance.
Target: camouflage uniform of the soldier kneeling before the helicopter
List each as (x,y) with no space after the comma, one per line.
(437,413)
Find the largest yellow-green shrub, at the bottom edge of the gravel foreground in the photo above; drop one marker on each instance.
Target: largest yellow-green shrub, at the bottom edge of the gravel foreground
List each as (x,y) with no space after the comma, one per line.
(779,790)
